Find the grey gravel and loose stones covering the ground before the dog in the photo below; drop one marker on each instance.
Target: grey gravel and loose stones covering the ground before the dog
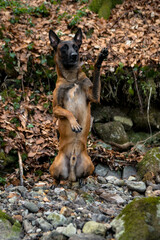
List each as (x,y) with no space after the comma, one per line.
(81,210)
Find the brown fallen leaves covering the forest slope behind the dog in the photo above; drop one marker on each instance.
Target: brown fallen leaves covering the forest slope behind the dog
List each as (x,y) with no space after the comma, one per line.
(132,34)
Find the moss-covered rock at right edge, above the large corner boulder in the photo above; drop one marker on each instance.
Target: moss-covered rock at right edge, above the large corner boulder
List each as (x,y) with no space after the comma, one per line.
(150,164)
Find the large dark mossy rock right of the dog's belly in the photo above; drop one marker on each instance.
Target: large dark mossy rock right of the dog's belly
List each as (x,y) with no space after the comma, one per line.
(111,132)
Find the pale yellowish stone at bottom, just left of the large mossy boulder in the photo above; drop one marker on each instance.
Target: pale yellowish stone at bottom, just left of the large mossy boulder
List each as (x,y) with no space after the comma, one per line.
(92,227)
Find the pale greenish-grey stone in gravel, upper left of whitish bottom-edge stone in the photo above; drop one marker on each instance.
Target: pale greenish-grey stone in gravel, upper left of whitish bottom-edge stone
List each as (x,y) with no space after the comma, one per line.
(56,219)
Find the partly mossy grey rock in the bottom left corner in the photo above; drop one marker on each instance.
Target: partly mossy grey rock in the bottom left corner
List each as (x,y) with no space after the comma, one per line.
(9,228)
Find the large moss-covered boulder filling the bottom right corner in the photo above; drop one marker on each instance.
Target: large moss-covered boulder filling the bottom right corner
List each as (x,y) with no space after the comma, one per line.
(140,219)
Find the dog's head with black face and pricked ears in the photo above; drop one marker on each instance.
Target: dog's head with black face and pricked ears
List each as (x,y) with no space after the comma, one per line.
(68,51)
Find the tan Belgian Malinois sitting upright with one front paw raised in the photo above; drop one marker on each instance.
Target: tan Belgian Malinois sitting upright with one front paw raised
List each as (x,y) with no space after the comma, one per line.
(71,105)
